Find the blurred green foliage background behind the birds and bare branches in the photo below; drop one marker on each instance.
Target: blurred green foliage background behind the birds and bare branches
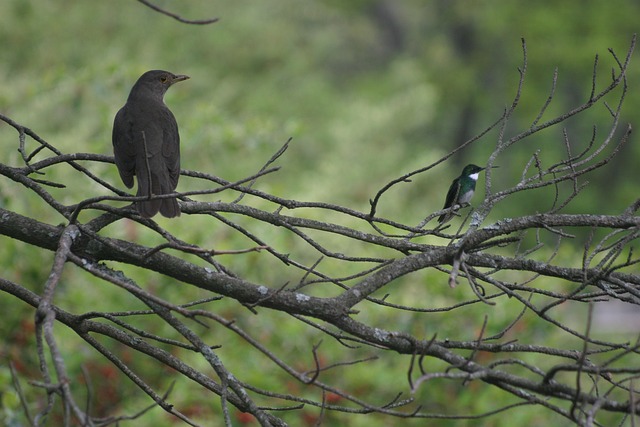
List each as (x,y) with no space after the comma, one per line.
(369,90)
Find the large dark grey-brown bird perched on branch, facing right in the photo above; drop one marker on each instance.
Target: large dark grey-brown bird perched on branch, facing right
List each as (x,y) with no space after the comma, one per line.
(146,143)
